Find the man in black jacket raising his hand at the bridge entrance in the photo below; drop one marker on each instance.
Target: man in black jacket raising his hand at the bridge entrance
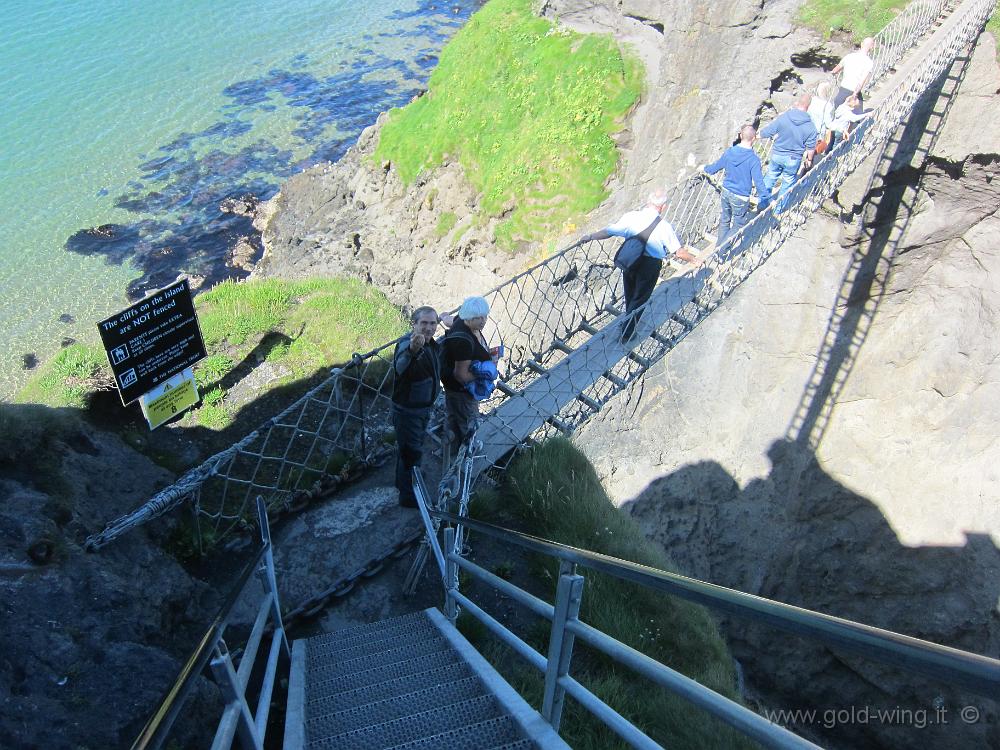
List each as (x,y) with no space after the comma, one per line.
(417,366)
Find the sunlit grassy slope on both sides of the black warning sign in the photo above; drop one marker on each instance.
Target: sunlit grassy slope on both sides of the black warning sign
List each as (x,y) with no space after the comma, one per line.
(313,323)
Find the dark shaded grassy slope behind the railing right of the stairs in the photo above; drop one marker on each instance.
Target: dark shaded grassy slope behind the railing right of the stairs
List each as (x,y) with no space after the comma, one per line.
(553,492)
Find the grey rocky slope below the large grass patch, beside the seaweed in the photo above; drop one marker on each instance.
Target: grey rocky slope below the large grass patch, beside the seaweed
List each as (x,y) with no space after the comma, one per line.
(357,218)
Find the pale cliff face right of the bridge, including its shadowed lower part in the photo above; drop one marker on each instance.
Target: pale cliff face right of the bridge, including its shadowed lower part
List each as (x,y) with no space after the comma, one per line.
(827,438)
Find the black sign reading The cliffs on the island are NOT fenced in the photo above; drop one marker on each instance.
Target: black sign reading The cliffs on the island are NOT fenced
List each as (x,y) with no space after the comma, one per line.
(152,340)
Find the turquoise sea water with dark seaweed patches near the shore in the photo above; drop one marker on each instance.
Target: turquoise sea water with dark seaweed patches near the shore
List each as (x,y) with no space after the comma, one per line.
(139,118)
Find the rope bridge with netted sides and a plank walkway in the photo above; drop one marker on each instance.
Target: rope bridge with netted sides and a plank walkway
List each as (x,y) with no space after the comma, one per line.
(560,321)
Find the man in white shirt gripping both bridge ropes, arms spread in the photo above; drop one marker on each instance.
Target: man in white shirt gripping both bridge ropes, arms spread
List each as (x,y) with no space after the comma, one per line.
(640,280)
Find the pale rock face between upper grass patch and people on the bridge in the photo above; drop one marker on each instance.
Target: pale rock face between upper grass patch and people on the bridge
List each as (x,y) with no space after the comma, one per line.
(711,67)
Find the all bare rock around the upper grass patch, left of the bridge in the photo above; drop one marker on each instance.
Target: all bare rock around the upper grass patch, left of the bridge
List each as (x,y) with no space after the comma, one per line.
(710,68)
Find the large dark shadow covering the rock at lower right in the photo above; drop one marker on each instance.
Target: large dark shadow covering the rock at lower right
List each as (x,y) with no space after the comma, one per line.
(800,537)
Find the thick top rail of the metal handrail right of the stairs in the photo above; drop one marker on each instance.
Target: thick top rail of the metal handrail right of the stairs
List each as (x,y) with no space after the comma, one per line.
(979,674)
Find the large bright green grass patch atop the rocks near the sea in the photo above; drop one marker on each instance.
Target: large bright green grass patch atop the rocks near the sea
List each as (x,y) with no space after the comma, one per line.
(528,108)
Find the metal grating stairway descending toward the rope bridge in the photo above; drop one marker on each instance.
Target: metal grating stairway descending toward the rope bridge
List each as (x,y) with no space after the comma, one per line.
(410,682)
